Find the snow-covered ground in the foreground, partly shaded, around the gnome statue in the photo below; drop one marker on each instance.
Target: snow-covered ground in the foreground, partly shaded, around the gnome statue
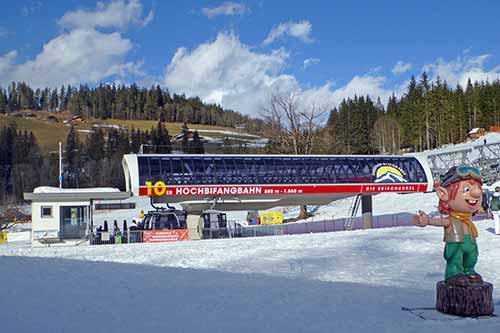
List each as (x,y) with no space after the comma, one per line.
(331,282)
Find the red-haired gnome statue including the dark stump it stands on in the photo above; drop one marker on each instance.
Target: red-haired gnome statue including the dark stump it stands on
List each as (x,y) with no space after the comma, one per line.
(463,291)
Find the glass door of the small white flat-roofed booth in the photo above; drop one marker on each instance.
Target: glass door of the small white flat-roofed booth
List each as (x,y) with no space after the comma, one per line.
(73,222)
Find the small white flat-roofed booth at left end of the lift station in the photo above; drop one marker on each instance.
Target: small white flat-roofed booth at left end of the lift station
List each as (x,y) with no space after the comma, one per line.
(65,215)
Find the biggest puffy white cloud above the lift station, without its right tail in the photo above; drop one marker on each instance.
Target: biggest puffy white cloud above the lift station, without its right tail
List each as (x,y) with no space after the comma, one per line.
(226,71)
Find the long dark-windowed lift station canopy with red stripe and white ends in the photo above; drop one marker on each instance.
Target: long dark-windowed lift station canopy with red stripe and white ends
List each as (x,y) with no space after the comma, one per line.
(243,182)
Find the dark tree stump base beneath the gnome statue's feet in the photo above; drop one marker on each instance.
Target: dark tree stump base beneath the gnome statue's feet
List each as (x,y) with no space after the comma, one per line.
(465,301)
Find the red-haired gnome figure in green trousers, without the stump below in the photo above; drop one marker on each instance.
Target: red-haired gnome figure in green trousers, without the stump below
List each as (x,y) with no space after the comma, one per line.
(460,195)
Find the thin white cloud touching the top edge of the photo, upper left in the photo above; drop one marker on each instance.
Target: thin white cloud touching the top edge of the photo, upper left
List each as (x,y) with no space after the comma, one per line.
(115,14)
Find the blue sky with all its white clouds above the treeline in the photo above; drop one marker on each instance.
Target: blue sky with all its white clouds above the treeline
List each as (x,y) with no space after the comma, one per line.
(237,53)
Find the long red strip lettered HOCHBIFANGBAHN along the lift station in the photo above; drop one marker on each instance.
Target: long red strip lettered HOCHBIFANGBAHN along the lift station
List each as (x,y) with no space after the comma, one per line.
(239,190)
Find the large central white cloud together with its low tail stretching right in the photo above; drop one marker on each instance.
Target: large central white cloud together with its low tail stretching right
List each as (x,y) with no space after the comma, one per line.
(230,73)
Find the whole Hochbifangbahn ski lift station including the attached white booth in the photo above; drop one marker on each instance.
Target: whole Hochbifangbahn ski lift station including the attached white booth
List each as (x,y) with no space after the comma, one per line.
(228,183)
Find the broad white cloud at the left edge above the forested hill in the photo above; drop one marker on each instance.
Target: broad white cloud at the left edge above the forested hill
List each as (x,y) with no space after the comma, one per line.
(72,58)
